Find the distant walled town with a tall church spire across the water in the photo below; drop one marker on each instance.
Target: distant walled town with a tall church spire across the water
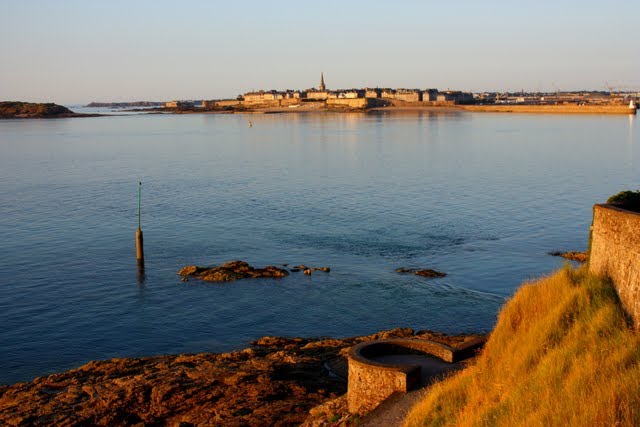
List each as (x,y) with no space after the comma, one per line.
(366,98)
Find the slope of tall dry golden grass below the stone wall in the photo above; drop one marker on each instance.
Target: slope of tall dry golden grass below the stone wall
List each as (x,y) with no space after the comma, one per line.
(562,354)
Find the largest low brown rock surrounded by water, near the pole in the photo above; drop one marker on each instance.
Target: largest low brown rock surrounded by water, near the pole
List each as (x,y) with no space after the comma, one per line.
(231,271)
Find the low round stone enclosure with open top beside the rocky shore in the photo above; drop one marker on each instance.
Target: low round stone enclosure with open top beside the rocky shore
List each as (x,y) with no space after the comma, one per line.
(380,368)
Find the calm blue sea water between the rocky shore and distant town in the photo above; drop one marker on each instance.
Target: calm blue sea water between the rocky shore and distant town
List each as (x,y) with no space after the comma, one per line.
(482,197)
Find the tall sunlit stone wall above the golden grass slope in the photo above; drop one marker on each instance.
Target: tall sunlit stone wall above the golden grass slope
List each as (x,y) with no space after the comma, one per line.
(615,252)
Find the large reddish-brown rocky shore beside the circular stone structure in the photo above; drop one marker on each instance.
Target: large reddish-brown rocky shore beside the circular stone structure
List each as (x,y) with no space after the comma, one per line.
(276,382)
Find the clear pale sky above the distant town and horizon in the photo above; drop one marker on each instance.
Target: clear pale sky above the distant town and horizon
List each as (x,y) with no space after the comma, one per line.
(75,51)
